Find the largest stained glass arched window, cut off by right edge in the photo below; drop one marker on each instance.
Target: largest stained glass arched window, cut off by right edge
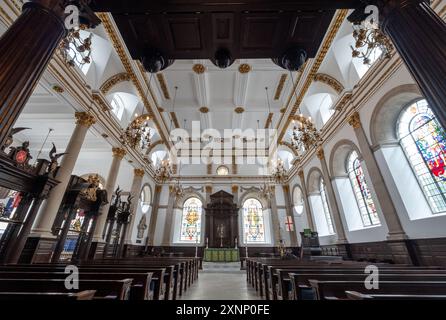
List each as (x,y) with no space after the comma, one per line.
(424,142)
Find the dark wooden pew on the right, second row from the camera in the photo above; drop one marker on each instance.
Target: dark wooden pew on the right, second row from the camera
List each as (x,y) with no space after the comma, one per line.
(337,289)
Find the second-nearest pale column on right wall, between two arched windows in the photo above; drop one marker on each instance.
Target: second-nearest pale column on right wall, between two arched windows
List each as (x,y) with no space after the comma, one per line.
(340,231)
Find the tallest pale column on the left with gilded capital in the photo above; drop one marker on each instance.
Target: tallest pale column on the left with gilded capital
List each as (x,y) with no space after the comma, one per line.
(47,213)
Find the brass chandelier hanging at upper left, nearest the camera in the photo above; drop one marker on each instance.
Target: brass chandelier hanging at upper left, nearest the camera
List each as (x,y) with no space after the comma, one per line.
(74,49)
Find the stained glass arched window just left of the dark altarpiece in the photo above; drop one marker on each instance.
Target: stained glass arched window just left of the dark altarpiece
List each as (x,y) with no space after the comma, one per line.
(191,221)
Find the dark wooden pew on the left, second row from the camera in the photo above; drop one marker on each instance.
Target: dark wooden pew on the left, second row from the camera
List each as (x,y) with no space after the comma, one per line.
(110,289)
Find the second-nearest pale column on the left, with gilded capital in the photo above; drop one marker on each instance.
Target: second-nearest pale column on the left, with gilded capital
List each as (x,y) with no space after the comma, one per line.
(118,155)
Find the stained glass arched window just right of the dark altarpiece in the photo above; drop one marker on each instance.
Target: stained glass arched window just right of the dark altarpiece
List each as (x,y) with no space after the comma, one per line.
(253,223)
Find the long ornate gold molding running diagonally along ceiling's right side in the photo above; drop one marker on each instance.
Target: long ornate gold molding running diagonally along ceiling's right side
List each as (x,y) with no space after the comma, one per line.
(339,19)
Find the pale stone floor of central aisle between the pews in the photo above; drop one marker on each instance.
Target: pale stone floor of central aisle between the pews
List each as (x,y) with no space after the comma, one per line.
(220,281)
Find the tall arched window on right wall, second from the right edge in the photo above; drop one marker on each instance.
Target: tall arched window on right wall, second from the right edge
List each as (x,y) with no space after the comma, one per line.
(362,193)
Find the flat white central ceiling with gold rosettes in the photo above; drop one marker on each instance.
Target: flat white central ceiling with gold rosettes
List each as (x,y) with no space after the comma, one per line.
(221,91)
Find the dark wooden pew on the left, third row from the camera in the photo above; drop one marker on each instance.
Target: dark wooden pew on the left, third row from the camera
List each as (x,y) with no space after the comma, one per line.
(140,289)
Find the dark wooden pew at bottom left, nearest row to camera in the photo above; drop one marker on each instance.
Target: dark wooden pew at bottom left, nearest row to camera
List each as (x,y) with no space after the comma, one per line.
(47,296)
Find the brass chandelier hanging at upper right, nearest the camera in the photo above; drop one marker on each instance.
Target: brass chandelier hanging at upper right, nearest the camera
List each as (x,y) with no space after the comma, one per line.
(370,40)
